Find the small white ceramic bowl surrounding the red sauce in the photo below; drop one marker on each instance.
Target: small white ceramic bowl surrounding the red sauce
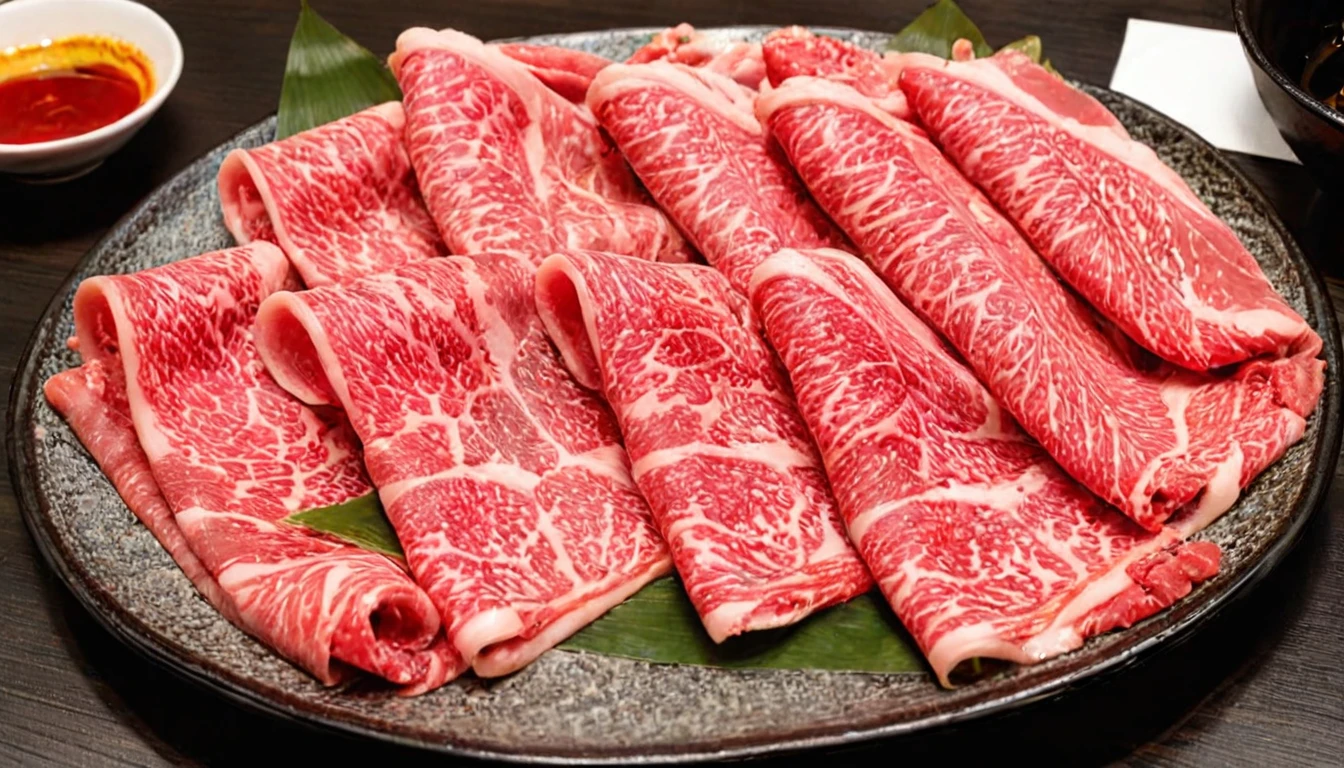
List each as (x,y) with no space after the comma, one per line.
(24,22)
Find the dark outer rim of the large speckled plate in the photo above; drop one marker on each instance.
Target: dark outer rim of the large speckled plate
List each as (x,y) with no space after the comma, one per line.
(155,648)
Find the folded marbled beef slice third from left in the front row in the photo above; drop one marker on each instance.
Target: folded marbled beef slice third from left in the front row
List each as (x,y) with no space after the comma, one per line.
(718,447)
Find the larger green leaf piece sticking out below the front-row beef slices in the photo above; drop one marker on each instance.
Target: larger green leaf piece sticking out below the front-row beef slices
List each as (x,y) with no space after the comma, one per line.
(659,625)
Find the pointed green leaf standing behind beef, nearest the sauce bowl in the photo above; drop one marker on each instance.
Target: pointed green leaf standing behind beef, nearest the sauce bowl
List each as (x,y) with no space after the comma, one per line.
(329,76)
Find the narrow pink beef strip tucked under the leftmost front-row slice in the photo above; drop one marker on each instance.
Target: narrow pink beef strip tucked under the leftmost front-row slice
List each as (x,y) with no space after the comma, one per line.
(93,401)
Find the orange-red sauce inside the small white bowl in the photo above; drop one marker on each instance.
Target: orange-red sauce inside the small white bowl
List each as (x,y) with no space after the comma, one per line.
(68,88)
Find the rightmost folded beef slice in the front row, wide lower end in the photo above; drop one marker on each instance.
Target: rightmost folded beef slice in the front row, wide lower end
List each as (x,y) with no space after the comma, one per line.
(980,543)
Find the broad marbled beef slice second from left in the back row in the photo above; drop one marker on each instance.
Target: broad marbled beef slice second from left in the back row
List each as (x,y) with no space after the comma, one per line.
(510,166)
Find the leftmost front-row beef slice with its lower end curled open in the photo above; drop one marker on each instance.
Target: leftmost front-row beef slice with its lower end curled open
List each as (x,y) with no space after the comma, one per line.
(235,455)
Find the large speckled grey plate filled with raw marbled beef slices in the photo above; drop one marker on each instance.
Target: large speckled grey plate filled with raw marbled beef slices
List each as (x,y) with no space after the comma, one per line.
(1053,477)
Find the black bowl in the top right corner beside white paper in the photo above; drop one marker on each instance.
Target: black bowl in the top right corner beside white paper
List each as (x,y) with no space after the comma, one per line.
(1277,36)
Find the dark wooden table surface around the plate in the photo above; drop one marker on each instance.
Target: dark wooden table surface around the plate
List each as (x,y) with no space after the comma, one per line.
(1263,685)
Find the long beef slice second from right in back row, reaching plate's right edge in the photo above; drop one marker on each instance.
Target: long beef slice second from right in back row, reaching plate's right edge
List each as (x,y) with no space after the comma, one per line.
(1150,440)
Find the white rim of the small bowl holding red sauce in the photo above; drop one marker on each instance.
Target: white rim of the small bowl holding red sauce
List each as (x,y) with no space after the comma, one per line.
(130,122)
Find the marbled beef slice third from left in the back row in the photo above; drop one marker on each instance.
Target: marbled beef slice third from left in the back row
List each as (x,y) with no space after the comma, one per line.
(694,142)
